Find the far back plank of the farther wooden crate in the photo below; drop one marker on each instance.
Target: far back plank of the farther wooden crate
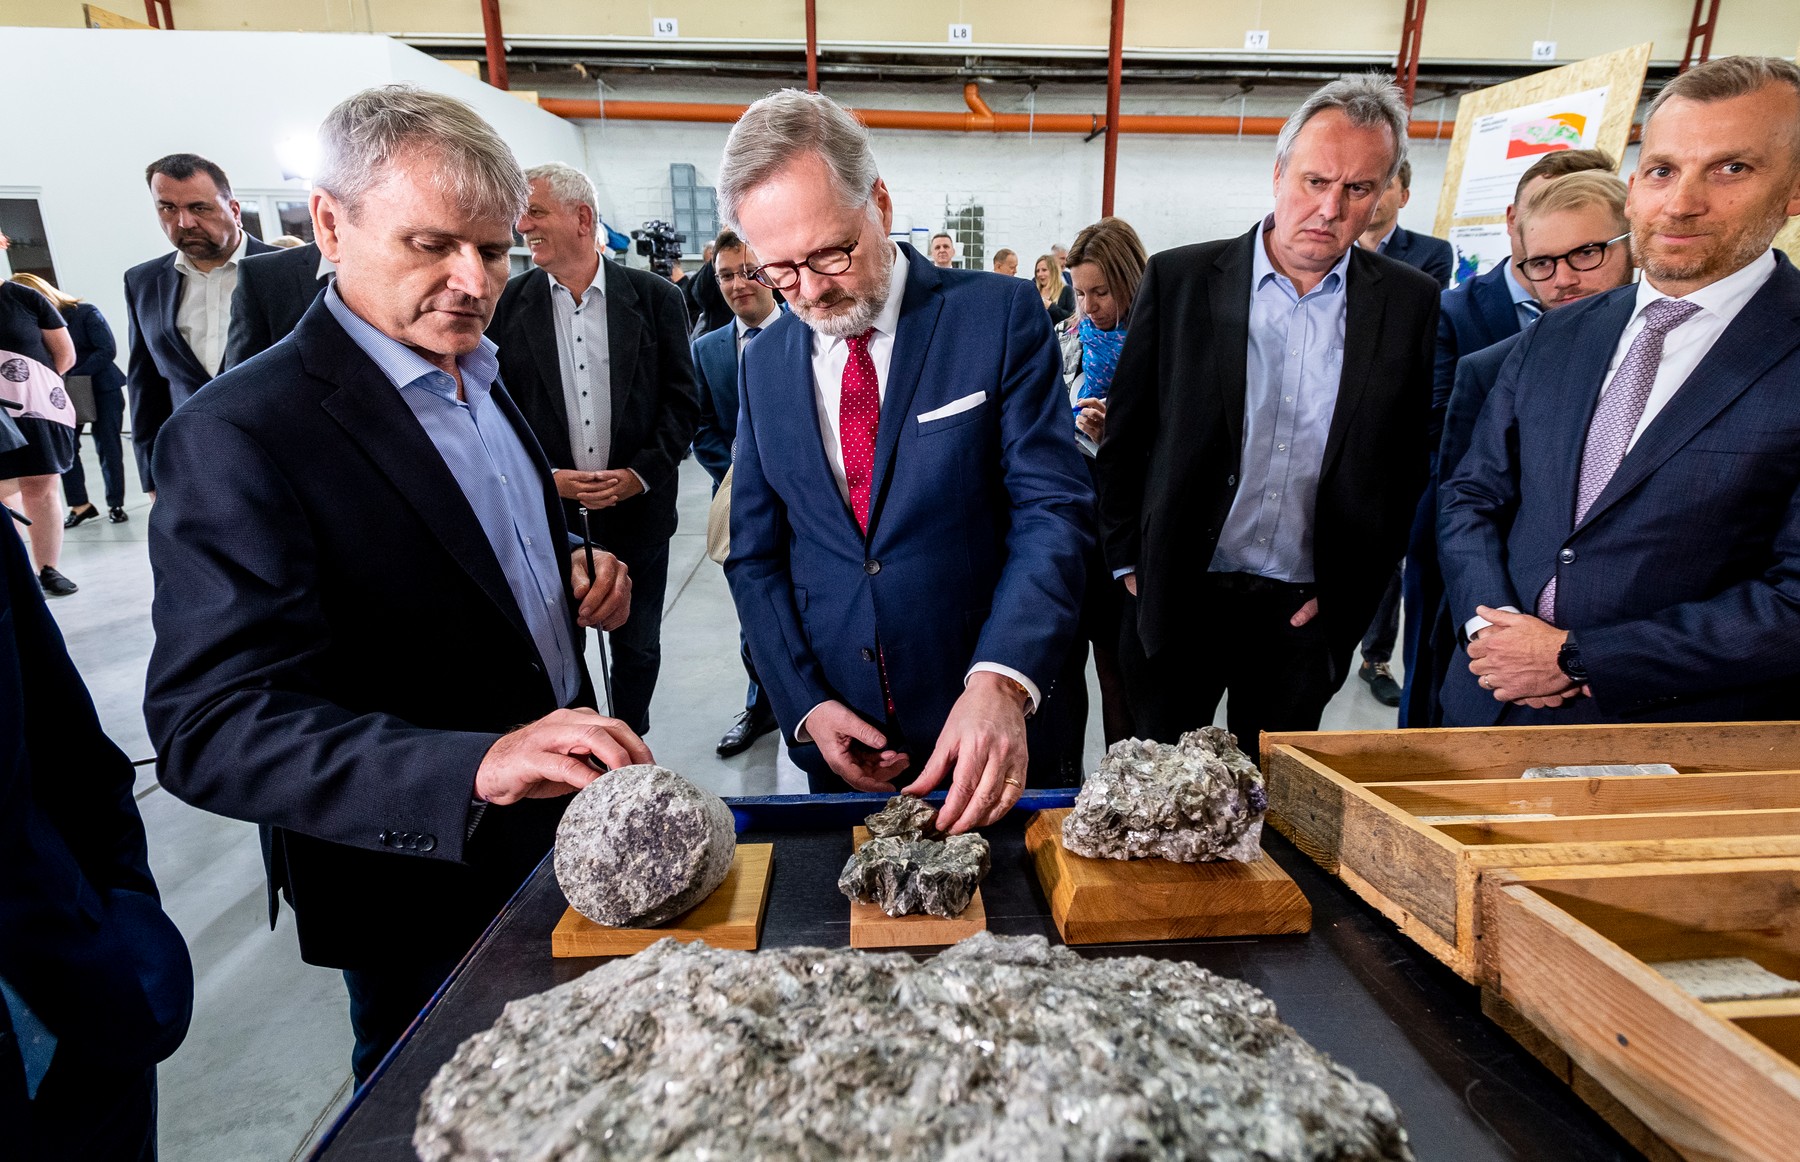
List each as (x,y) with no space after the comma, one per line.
(1506,753)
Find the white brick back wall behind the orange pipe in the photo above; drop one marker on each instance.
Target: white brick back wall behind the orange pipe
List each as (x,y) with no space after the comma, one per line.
(1038,190)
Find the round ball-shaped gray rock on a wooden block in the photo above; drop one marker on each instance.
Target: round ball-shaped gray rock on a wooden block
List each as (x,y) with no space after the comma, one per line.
(640,846)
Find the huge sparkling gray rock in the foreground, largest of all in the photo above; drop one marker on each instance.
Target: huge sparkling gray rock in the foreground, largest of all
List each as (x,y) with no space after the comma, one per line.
(996,1050)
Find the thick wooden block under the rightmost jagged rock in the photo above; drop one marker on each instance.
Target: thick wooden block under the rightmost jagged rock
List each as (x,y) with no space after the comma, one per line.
(1111,902)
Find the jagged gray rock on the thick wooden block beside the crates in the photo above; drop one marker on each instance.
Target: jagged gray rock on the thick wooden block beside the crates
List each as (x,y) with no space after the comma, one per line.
(1200,800)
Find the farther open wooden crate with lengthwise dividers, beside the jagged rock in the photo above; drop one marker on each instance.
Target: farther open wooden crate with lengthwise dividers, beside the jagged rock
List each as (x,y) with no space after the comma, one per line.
(1414,819)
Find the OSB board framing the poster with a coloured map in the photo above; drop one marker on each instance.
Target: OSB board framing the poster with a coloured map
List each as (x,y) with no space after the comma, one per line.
(1623,73)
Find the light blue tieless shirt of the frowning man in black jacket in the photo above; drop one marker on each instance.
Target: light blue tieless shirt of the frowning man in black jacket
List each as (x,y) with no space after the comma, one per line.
(1293,368)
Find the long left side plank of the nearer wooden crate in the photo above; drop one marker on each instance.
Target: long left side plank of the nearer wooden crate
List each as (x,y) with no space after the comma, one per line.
(1696,1082)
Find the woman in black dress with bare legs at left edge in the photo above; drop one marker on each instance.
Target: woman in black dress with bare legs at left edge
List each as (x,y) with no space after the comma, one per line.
(31,328)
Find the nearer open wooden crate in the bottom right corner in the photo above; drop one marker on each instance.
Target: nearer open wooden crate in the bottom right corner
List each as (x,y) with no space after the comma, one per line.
(1574,951)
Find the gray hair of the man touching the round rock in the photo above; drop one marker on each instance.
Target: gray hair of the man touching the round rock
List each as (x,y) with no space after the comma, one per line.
(366,134)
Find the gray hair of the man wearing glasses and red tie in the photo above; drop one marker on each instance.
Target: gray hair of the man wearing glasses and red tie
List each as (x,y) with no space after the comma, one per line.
(786,125)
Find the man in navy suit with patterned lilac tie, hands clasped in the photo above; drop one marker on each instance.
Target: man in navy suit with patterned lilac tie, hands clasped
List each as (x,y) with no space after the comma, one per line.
(1623,541)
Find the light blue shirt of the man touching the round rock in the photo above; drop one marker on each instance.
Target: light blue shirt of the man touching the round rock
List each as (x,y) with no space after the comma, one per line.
(498,478)
